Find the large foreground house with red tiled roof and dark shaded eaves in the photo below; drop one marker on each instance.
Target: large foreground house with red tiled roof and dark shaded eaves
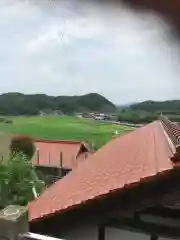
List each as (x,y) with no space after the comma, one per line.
(128,189)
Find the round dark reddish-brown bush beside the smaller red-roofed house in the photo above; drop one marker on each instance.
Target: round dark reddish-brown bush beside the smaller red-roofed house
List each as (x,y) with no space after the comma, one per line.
(22,144)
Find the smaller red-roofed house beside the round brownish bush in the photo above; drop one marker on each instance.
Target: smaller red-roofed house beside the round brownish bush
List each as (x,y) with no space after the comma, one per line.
(54,159)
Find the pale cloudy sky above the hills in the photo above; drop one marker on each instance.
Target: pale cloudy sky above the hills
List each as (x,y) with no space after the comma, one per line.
(71,48)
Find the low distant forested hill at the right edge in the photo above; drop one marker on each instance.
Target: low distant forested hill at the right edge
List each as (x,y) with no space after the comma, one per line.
(171,106)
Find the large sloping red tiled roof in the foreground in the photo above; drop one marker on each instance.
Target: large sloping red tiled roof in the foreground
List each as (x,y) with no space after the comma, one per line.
(123,161)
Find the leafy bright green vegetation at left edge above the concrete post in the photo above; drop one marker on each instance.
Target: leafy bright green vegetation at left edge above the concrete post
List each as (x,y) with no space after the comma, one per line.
(19,183)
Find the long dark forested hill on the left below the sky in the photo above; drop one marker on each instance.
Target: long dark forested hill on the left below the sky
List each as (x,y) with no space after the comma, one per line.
(21,104)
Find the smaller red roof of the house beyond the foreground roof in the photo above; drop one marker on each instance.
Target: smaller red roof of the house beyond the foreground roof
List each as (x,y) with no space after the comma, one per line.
(49,153)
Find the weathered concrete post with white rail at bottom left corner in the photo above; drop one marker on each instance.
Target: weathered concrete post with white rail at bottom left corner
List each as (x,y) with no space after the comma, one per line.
(14,225)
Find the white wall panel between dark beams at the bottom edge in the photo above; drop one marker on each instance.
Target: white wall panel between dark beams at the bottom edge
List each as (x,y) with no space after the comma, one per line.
(117,234)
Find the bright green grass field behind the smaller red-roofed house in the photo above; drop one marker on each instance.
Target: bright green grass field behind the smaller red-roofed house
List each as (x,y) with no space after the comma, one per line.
(69,128)
